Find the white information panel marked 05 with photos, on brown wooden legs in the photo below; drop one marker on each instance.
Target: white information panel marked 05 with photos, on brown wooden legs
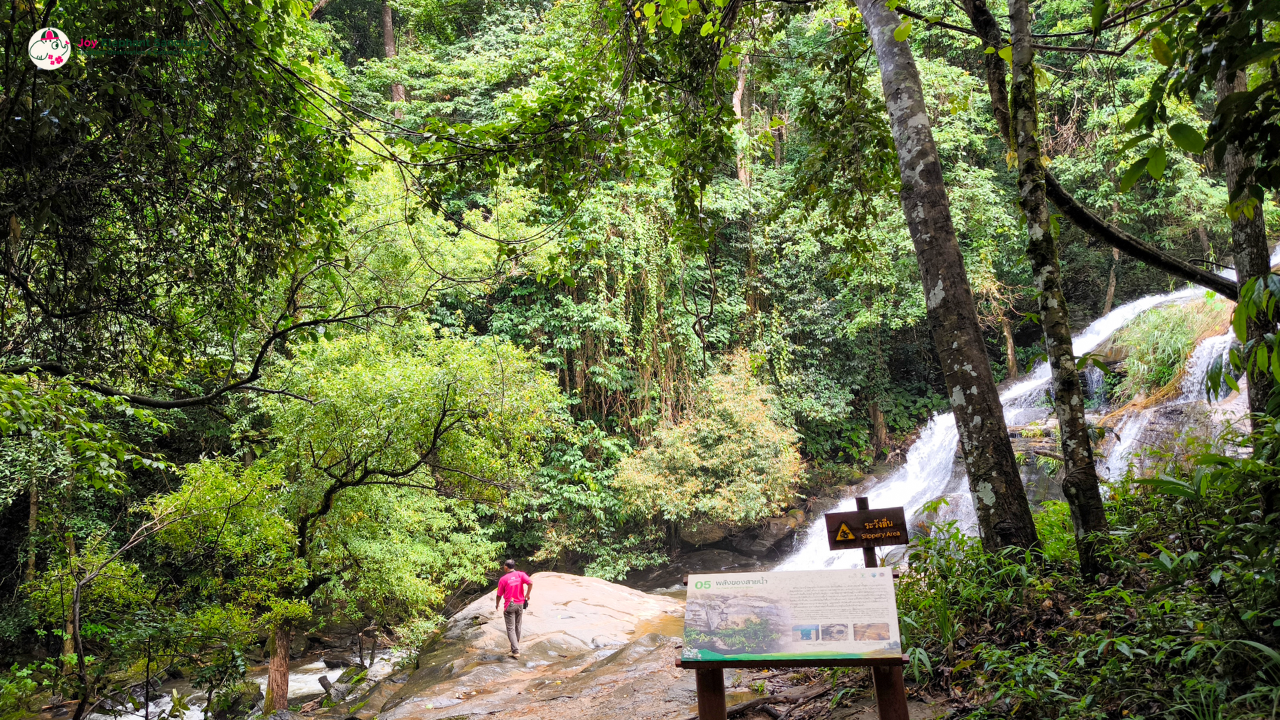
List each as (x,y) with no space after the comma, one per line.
(804,616)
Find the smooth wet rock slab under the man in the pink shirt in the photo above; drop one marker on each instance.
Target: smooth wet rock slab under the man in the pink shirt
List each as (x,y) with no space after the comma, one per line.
(587,653)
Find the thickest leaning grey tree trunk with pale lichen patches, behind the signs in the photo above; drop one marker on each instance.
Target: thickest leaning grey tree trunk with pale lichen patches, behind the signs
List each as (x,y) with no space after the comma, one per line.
(1004,517)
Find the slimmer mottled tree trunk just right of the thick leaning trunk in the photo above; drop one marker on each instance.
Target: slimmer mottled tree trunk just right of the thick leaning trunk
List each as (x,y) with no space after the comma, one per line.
(1081,485)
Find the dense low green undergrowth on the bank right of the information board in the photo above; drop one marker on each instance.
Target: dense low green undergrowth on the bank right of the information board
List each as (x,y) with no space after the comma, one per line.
(1185,625)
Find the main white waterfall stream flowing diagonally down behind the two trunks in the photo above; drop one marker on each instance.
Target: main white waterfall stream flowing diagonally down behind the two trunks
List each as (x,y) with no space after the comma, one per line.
(931,471)
